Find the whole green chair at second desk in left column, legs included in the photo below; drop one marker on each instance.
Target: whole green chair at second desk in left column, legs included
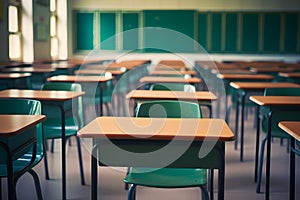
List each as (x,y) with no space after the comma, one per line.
(73,120)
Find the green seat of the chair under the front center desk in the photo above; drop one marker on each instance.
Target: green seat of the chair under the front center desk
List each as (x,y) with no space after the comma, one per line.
(166,177)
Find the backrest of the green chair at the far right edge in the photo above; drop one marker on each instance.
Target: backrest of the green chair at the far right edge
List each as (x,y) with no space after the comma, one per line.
(289,114)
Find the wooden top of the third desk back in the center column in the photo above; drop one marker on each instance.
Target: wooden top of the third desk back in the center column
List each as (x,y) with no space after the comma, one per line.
(159,79)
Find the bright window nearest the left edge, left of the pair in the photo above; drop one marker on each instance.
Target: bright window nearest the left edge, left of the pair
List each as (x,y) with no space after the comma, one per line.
(14,30)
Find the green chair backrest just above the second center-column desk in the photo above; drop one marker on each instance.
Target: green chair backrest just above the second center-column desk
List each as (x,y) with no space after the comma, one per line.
(173,87)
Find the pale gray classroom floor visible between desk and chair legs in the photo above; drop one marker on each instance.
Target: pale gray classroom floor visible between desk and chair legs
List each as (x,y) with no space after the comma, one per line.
(239,182)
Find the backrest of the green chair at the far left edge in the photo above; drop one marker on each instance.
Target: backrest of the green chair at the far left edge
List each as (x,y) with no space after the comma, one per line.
(23,107)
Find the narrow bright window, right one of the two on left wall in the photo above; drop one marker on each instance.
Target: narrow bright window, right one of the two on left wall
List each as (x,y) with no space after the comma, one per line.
(53,29)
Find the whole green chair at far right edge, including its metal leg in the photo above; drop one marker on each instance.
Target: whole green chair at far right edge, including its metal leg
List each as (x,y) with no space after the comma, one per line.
(276,118)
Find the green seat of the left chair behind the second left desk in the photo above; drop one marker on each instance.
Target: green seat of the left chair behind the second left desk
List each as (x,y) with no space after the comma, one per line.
(52,128)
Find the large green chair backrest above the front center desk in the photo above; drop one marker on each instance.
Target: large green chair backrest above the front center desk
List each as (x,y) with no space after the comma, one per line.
(169,109)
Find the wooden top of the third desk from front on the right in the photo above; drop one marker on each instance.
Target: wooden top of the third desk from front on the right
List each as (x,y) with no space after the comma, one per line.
(263,85)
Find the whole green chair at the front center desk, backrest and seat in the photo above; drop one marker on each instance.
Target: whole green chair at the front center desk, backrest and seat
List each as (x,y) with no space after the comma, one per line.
(167,177)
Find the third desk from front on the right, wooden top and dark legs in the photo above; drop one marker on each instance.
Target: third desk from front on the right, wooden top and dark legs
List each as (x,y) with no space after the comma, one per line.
(244,88)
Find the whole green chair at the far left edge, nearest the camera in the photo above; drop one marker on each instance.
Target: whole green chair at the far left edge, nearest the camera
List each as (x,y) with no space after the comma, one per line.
(24,163)
